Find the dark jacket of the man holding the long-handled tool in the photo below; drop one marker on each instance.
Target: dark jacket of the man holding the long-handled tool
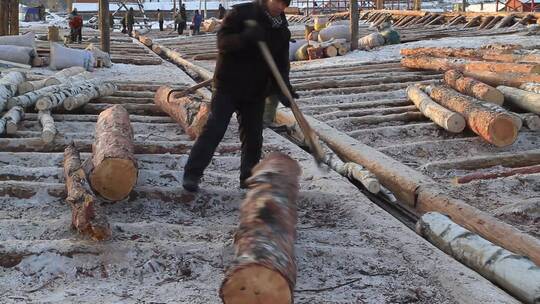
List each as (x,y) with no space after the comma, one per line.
(241,69)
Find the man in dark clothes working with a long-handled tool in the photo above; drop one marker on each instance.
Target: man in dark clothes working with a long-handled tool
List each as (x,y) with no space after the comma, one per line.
(242,80)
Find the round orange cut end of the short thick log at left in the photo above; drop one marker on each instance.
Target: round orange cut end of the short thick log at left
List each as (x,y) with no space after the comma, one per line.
(114,178)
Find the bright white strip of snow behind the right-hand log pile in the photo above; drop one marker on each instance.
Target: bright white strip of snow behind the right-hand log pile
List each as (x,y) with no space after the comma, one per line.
(391,52)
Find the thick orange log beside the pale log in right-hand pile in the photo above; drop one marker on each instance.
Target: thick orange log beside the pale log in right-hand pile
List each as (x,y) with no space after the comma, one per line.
(496,128)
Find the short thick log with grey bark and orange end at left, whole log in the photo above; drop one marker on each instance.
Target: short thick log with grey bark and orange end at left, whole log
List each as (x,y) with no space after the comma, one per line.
(114,167)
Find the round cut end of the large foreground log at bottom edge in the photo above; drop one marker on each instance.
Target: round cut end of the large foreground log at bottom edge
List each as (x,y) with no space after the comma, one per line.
(256,284)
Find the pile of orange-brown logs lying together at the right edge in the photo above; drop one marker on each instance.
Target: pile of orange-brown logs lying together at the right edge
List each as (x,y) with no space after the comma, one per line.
(485,86)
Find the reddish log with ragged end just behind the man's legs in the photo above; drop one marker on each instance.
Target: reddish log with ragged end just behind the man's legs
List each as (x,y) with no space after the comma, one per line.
(187,111)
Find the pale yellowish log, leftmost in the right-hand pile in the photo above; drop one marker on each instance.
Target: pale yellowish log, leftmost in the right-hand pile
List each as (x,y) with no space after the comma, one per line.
(451,121)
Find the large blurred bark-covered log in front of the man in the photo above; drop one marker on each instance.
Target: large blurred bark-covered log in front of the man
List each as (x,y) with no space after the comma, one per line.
(264,268)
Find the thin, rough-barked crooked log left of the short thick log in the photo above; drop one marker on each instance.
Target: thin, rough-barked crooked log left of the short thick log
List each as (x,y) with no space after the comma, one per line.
(86,217)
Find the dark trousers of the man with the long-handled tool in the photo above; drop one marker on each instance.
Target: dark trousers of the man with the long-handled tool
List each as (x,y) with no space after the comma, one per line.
(249,113)
